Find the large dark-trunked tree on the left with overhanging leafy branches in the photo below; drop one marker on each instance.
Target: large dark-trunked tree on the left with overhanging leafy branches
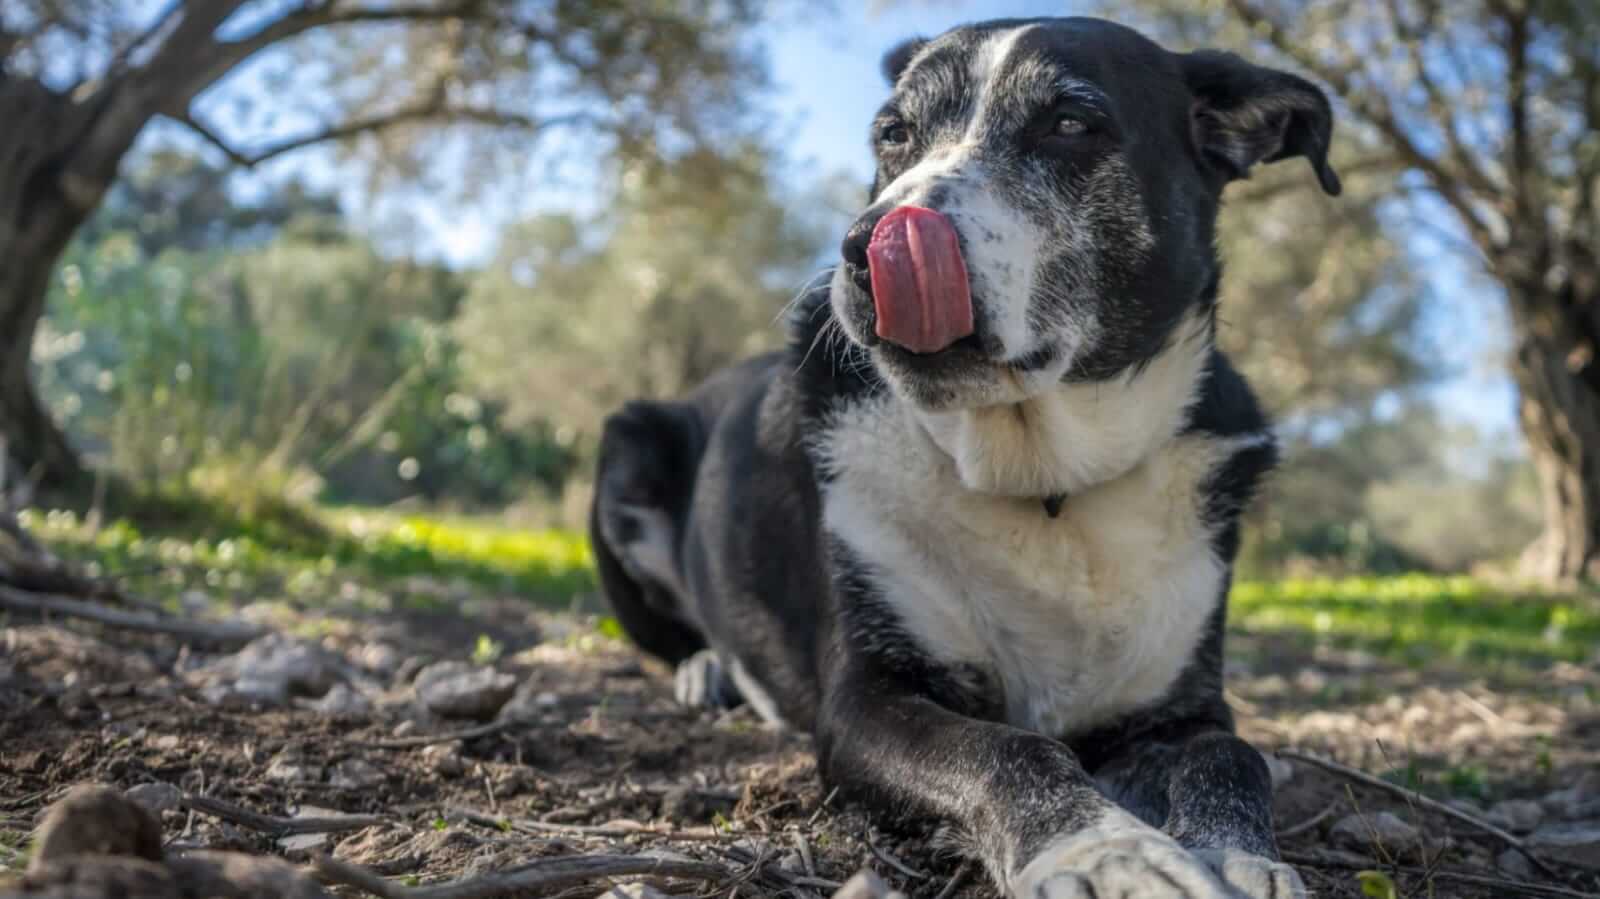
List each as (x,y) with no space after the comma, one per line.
(82,79)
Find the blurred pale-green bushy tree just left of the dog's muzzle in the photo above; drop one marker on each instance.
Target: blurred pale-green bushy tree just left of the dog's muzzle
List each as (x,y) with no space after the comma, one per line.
(686,271)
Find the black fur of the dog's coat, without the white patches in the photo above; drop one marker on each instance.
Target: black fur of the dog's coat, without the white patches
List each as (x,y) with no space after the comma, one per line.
(738,471)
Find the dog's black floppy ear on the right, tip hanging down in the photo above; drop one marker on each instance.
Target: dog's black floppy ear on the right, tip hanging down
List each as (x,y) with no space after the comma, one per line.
(1246,114)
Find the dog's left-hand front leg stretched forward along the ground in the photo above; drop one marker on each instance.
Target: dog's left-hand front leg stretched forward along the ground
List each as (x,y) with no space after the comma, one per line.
(1031,812)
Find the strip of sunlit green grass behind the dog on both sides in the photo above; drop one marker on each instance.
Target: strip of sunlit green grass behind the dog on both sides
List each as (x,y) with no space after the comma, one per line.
(270,549)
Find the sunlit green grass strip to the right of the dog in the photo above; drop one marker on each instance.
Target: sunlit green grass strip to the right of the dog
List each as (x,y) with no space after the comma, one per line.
(1420,617)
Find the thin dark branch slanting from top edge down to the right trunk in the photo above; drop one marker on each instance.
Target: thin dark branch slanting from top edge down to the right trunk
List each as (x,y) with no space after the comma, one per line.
(1375,111)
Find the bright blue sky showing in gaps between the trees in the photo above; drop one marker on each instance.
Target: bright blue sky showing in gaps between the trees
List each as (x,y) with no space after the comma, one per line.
(826,90)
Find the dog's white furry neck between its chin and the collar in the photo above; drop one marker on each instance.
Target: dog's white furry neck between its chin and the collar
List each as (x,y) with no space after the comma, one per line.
(1074,436)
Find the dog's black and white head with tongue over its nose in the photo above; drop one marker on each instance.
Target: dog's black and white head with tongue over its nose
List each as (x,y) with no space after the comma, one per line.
(1046,202)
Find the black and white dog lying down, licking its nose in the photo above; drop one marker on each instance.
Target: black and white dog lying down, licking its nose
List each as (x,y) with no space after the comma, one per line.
(975,530)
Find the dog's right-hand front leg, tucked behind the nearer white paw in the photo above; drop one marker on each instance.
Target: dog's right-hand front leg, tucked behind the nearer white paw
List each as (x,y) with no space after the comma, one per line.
(1214,796)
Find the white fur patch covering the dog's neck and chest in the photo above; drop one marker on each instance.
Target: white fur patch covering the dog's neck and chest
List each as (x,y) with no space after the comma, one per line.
(1081,618)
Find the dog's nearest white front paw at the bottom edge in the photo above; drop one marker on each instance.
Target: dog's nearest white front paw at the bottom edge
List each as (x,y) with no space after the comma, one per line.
(1119,860)
